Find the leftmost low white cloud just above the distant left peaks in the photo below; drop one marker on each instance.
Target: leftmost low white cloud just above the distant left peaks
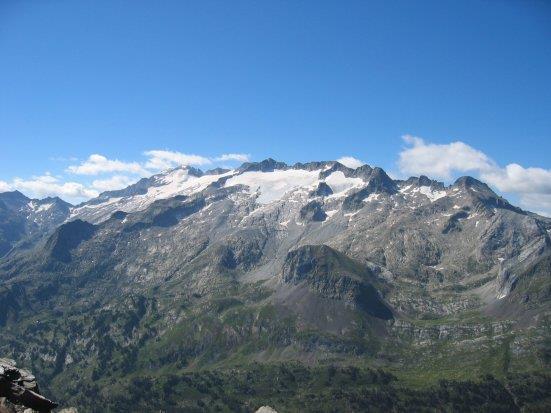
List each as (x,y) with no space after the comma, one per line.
(48,185)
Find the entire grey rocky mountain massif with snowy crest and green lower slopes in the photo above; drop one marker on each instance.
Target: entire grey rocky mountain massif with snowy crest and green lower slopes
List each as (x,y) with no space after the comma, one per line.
(306,287)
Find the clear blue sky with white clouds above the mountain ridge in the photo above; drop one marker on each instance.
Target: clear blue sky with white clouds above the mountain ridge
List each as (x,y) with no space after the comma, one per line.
(96,94)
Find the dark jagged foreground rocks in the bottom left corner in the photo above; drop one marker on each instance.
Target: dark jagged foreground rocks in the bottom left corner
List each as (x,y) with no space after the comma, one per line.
(19,391)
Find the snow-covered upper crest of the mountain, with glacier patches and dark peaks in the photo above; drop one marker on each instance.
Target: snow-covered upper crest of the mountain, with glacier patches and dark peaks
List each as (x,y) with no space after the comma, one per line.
(270,182)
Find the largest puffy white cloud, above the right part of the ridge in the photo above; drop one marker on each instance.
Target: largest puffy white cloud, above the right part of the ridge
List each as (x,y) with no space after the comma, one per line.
(441,160)
